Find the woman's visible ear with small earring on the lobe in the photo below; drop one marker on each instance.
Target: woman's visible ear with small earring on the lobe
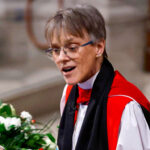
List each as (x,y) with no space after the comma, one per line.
(100,46)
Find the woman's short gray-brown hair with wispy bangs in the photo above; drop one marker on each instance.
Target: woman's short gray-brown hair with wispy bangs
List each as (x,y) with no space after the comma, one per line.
(75,21)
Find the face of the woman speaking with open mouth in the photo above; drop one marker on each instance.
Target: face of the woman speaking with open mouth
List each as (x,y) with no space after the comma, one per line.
(82,64)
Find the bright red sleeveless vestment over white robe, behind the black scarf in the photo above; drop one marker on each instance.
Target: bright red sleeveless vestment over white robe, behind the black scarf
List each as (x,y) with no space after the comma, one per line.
(118,97)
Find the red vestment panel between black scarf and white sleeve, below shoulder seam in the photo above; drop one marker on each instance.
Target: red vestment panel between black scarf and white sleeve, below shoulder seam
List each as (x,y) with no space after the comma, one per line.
(114,113)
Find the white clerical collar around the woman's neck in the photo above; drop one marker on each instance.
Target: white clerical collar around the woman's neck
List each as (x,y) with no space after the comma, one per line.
(89,83)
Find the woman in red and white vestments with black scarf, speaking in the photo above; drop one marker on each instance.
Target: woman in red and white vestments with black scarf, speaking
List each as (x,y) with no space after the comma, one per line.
(100,109)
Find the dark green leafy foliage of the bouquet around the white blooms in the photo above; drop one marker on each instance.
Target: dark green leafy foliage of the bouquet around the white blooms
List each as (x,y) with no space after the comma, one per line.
(24,137)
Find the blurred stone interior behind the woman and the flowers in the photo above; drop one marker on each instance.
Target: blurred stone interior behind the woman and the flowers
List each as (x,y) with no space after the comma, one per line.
(31,82)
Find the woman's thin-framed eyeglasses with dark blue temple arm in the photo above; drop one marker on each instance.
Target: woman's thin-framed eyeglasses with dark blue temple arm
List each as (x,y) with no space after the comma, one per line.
(69,50)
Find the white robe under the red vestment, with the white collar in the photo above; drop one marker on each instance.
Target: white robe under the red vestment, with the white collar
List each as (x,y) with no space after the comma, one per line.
(134,133)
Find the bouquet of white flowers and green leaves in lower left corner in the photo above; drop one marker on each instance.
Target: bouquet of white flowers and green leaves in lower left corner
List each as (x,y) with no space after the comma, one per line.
(20,133)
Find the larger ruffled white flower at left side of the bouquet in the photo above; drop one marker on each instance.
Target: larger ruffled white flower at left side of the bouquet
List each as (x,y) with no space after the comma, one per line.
(12,121)
